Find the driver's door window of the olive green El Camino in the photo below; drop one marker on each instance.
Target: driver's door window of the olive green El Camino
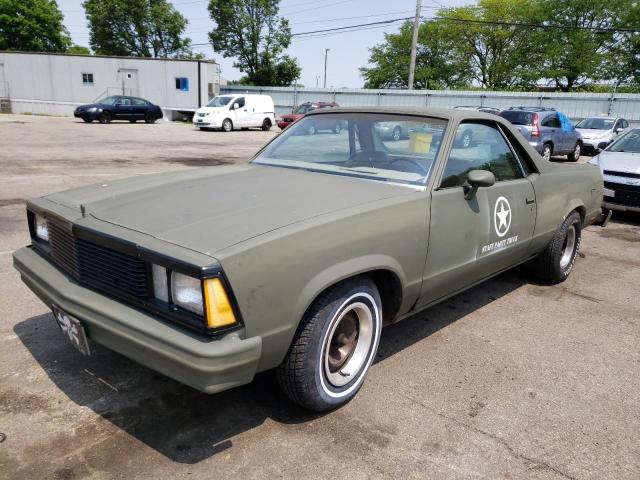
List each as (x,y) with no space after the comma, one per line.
(479,146)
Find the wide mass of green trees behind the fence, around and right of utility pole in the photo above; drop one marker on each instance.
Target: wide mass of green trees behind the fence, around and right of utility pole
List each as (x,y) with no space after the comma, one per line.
(501,44)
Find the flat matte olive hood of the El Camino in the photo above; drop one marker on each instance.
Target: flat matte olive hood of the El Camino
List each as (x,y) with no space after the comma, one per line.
(209,209)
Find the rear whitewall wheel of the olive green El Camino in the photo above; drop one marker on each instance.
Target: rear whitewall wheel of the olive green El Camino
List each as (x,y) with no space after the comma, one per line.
(556,261)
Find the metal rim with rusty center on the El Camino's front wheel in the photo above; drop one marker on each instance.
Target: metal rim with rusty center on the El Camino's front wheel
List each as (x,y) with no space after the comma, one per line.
(348,344)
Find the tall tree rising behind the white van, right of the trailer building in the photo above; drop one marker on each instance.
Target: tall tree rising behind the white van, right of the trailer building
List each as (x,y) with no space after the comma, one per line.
(253,33)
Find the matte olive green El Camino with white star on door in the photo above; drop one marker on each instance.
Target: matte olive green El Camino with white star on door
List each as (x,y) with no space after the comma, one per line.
(297,259)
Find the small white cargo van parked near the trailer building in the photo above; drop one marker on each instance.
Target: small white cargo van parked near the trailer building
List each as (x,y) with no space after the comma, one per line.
(227,112)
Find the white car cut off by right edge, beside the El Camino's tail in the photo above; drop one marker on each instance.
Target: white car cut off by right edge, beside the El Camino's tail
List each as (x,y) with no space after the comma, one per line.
(620,166)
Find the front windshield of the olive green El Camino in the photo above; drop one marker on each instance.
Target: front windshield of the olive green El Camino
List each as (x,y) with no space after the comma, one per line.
(383,147)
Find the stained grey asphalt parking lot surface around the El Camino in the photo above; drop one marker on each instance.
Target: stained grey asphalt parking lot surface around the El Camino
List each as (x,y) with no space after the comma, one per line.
(512,379)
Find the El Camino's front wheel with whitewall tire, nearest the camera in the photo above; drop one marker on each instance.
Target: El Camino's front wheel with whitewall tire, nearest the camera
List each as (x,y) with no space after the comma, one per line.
(334,346)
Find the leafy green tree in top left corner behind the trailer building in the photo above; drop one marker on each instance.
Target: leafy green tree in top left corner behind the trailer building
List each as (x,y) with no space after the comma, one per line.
(32,25)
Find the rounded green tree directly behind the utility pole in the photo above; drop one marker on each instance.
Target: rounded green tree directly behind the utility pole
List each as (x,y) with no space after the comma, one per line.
(436,64)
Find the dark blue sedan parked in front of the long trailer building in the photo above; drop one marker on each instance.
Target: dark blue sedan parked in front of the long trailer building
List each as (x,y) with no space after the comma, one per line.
(119,107)
